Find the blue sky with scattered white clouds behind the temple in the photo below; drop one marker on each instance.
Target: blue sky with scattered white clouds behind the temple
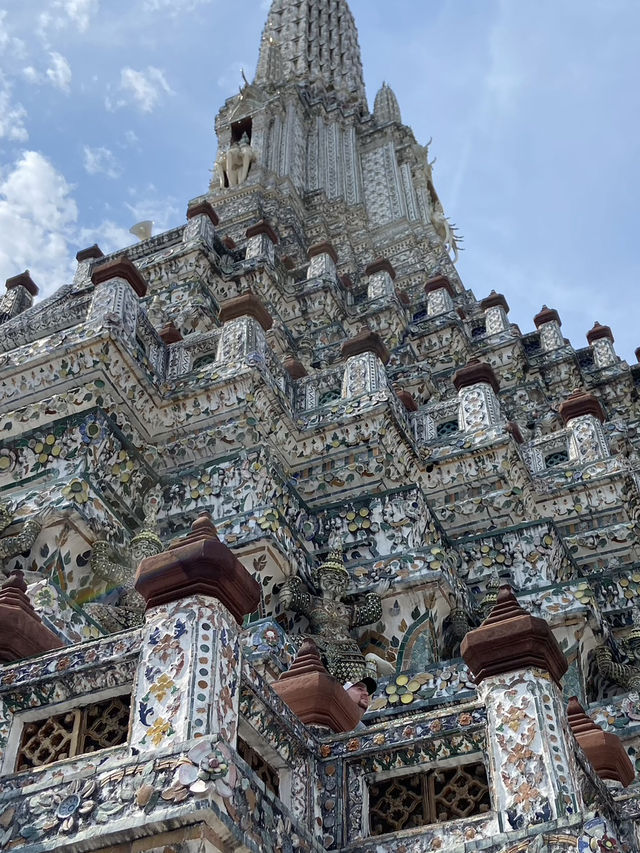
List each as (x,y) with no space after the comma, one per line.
(107,110)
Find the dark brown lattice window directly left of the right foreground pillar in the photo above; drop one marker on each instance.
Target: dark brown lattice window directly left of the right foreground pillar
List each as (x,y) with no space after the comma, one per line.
(418,799)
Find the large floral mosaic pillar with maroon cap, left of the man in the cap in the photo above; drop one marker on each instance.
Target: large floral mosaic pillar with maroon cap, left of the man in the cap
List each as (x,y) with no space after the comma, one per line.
(188,685)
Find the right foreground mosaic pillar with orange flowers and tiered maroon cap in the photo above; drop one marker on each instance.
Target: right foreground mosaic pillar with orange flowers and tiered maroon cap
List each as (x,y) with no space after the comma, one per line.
(517,665)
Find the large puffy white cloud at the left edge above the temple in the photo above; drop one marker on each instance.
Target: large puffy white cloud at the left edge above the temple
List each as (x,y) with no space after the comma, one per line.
(37,217)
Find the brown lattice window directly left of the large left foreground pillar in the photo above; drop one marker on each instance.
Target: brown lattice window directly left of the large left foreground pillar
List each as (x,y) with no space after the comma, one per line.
(76,732)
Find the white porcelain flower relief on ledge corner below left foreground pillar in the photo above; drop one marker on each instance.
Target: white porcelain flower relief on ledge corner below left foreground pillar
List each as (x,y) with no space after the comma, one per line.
(206,770)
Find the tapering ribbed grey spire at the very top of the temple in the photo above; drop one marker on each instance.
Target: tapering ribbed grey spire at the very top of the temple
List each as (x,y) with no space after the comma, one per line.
(318,43)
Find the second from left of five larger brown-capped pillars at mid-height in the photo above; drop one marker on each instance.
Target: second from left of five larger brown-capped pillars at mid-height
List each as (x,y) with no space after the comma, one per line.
(245,321)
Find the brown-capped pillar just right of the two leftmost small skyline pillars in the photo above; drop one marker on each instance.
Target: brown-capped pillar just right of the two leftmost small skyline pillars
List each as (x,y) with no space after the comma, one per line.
(118,288)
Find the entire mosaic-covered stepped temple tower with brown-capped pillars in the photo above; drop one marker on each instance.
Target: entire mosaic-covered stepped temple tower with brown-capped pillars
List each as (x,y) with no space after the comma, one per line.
(305,546)
